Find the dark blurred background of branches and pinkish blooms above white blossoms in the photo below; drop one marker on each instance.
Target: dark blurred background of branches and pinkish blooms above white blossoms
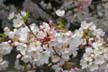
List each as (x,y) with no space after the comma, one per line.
(44,10)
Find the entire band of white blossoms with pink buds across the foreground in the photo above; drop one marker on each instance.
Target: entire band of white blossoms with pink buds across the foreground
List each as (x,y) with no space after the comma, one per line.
(51,46)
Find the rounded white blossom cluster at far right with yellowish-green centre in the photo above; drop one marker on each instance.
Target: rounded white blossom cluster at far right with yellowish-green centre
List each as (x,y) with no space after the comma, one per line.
(96,49)
